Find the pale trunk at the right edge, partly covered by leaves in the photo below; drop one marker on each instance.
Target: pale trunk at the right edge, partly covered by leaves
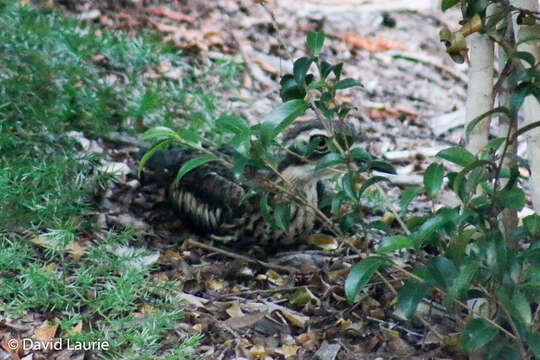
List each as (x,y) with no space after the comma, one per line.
(531,107)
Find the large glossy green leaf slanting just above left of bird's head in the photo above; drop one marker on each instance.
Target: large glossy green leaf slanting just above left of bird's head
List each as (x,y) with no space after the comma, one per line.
(280,118)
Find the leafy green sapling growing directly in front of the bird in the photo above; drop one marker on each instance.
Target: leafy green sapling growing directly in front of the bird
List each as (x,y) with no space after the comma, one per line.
(258,148)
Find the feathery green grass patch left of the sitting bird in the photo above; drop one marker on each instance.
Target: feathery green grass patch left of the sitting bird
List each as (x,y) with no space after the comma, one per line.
(50,85)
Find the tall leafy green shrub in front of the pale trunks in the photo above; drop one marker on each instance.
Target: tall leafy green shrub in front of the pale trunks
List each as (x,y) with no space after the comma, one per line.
(485,271)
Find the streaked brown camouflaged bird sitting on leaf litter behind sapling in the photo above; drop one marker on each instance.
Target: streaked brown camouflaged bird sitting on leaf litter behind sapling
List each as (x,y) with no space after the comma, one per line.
(212,200)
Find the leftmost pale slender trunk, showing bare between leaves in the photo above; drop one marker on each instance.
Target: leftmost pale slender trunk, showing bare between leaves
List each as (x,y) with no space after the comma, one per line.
(480,88)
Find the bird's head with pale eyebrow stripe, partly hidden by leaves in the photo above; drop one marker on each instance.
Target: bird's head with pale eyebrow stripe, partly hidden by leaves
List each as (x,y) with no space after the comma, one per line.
(309,141)
